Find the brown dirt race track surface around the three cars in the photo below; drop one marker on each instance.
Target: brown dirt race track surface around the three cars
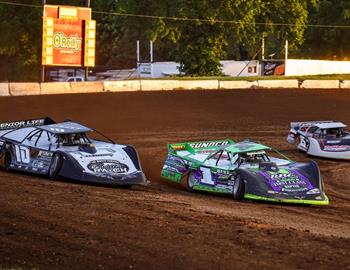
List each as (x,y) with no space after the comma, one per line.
(60,225)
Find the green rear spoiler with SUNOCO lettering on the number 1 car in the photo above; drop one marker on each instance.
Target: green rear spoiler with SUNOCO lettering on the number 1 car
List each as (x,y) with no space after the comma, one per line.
(194,147)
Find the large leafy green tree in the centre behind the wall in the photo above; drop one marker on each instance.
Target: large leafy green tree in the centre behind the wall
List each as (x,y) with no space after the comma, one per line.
(227,28)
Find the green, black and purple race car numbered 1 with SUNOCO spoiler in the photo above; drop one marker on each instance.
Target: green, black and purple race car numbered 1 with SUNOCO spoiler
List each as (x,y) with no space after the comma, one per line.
(246,170)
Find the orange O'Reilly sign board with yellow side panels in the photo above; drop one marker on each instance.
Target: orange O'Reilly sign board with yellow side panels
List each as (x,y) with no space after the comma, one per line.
(68,36)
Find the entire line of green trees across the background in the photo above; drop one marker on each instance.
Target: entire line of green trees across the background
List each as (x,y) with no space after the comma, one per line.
(197,34)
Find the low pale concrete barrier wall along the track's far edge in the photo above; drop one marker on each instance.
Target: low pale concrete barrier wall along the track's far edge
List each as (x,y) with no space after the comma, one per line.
(22,89)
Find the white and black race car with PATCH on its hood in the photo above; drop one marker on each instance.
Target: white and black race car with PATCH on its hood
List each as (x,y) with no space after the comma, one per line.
(65,149)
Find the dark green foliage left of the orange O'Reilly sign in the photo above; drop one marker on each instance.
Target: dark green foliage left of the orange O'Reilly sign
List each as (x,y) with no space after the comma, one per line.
(20,42)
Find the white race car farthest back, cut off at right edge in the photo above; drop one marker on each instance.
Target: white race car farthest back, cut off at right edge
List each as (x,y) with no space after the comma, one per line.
(327,139)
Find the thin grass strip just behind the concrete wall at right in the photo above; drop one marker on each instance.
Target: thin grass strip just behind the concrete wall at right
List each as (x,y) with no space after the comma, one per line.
(254,78)
